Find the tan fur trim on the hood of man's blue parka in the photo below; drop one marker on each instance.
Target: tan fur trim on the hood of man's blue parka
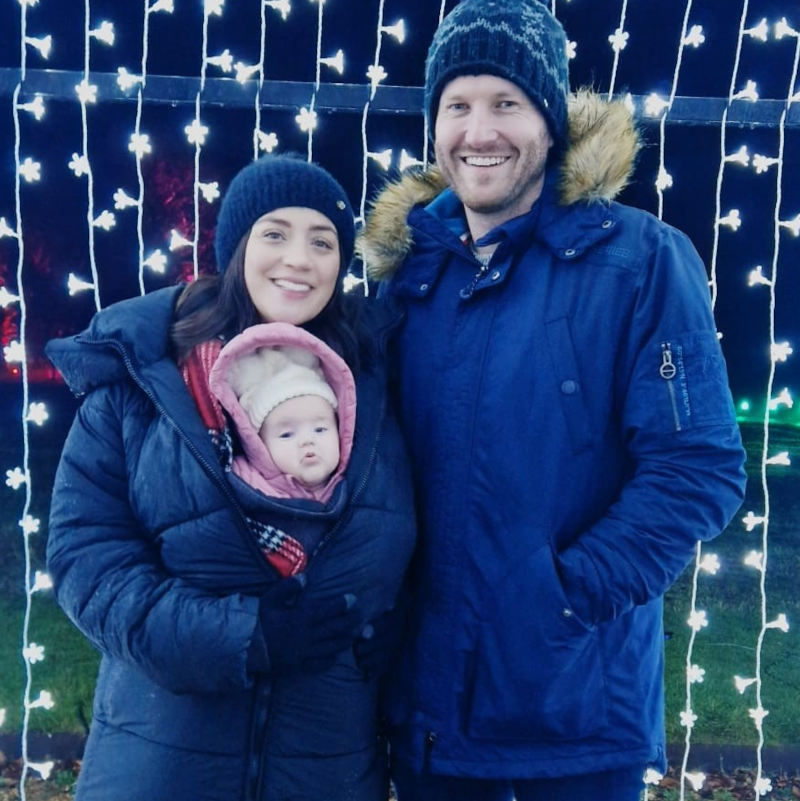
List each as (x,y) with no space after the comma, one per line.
(600,156)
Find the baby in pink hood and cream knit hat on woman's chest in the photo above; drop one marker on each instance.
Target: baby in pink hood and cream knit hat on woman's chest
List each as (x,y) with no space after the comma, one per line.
(292,402)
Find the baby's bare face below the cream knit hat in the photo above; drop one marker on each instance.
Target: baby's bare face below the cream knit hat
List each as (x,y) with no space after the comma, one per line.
(302,437)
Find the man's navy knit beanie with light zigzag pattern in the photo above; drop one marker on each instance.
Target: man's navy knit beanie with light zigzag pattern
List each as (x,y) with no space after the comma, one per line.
(519,40)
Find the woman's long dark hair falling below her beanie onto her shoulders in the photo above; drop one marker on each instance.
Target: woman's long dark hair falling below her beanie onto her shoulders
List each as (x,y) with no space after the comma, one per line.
(219,307)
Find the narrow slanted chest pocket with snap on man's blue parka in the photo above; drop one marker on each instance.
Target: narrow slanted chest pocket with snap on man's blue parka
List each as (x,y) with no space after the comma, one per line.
(569,386)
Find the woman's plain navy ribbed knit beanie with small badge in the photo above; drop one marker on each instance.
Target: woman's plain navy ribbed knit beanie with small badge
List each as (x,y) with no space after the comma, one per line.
(275,182)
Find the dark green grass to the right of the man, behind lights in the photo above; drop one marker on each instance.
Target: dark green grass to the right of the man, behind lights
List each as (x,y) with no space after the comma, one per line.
(732,601)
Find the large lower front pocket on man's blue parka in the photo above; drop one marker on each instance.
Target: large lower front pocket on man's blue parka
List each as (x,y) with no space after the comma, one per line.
(538,672)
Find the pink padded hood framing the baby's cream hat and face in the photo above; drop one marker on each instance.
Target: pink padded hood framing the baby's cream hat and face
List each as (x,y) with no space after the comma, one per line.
(257,467)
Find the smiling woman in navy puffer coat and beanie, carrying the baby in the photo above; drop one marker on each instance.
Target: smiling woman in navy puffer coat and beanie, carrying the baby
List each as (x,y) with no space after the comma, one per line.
(241,634)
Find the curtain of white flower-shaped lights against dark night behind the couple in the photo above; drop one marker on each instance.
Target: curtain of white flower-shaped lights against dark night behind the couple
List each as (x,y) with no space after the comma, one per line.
(122,124)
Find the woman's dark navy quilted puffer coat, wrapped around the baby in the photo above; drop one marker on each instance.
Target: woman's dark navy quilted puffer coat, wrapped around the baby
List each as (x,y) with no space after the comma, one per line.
(153,561)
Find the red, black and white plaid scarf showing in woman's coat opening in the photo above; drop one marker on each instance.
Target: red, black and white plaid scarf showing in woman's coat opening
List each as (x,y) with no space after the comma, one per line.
(282,551)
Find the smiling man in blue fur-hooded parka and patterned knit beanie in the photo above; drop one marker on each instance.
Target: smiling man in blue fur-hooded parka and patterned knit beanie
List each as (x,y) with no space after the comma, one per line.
(566,404)
